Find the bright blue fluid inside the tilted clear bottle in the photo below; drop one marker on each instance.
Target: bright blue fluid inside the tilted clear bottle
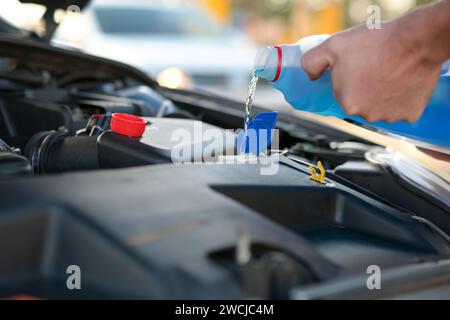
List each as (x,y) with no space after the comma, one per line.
(317,97)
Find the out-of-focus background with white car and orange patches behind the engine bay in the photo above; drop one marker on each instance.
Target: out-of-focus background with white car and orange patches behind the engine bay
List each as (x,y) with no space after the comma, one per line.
(203,44)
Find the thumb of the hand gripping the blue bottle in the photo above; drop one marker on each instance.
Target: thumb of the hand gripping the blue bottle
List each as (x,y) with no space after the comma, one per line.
(317,60)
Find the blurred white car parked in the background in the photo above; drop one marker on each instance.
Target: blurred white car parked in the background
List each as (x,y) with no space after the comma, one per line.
(176,44)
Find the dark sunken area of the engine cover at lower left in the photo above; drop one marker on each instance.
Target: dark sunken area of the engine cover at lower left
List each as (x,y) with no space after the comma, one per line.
(38,247)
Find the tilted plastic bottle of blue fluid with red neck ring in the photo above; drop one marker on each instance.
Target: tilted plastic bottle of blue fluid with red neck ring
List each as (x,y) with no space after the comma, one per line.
(281,66)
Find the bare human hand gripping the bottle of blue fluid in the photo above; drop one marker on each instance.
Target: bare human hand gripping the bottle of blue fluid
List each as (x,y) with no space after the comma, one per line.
(383,74)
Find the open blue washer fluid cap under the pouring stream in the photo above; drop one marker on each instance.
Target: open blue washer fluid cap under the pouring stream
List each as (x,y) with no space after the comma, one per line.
(260,134)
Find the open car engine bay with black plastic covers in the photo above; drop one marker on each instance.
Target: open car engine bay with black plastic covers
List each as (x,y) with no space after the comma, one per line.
(140,226)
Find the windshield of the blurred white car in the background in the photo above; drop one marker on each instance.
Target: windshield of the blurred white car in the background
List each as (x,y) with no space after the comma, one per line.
(155,21)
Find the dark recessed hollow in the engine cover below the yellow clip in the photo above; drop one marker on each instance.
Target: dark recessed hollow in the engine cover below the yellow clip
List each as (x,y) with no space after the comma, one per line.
(348,230)
